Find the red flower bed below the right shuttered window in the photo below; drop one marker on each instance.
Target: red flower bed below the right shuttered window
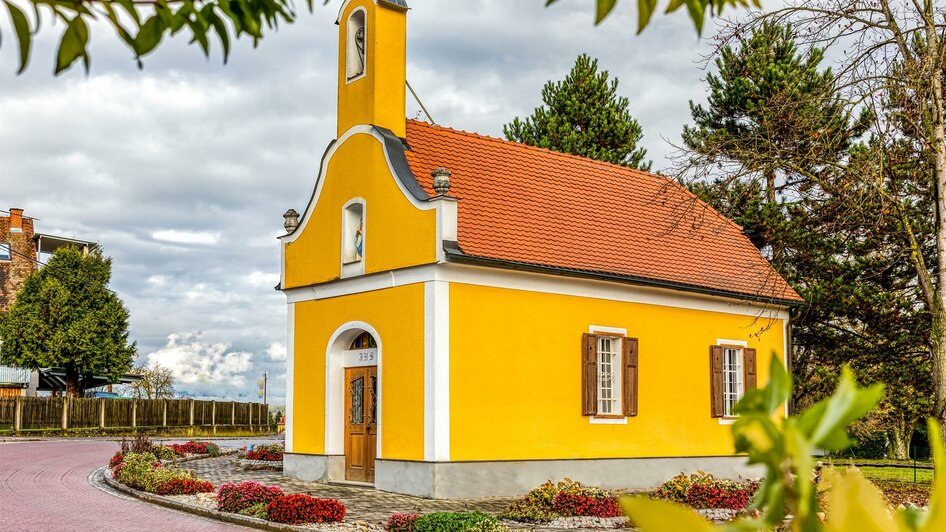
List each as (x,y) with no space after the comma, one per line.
(702,491)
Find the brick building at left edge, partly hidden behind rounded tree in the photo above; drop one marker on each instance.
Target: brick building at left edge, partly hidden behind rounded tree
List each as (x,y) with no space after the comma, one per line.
(21,250)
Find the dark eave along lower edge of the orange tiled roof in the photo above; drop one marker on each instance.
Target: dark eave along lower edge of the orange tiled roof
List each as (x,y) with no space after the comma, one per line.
(453,253)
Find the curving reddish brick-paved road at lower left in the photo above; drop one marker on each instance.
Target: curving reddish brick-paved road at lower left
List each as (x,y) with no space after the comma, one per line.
(44,486)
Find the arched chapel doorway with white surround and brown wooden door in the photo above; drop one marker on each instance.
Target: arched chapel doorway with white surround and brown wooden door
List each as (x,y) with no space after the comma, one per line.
(352,398)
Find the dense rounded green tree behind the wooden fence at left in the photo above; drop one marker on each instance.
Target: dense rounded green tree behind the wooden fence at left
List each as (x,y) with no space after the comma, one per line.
(65,316)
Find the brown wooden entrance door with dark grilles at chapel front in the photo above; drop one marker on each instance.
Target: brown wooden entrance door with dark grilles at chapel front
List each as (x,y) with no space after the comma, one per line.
(361,427)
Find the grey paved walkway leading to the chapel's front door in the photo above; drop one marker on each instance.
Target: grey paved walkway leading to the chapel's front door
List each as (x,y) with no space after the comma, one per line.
(363,504)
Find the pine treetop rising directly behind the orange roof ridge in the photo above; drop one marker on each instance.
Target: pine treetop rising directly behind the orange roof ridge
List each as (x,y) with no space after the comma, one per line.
(583,115)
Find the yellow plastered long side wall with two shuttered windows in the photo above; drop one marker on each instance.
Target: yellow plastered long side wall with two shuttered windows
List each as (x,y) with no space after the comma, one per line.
(515,376)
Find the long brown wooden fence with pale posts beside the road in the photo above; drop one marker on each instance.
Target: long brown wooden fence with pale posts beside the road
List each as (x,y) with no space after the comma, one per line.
(37,413)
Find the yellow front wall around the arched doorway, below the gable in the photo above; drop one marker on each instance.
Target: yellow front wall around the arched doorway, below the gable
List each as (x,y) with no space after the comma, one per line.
(397,314)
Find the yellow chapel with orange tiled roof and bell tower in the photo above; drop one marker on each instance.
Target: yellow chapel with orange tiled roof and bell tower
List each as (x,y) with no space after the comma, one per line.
(532,316)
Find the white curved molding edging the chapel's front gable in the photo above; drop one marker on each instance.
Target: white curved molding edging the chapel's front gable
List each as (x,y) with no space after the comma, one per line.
(392,147)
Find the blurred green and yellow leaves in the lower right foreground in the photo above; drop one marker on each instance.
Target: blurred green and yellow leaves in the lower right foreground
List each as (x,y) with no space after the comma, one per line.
(785,446)
